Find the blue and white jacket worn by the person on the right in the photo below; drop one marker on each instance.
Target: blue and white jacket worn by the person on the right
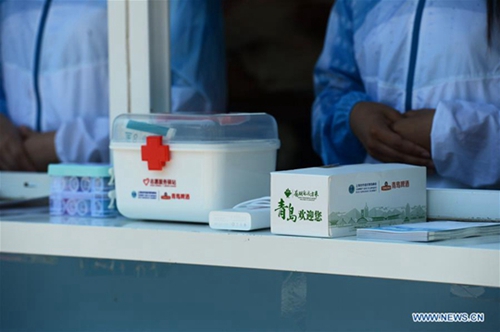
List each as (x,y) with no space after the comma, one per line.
(367,57)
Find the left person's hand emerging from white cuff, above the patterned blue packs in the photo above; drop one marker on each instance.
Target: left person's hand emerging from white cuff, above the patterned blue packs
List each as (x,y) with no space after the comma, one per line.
(40,147)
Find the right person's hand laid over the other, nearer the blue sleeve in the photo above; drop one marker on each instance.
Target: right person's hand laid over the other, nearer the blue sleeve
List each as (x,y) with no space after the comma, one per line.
(372,123)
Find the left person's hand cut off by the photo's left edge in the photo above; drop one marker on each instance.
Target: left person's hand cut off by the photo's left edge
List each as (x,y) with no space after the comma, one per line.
(13,155)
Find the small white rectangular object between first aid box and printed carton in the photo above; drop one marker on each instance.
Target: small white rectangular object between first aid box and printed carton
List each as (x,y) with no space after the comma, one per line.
(240,219)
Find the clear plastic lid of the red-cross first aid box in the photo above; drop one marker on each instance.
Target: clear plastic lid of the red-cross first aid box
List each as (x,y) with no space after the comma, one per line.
(196,128)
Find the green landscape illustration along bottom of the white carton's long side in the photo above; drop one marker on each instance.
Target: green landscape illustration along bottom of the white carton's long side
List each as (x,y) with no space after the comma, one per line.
(378,216)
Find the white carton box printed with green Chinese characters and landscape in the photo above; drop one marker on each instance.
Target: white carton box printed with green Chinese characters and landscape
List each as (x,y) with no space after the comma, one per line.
(335,201)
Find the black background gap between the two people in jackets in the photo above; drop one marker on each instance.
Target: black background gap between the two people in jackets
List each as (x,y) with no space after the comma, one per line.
(272,46)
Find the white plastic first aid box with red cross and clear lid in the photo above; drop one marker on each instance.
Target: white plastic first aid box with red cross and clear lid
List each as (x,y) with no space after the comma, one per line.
(179,167)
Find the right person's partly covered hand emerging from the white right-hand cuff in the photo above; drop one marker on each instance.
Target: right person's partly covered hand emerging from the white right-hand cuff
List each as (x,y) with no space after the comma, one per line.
(416,127)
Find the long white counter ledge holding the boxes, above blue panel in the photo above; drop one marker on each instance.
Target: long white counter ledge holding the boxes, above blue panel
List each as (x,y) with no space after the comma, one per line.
(472,261)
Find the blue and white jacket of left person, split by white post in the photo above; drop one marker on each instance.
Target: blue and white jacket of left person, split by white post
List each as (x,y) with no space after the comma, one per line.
(68,92)
